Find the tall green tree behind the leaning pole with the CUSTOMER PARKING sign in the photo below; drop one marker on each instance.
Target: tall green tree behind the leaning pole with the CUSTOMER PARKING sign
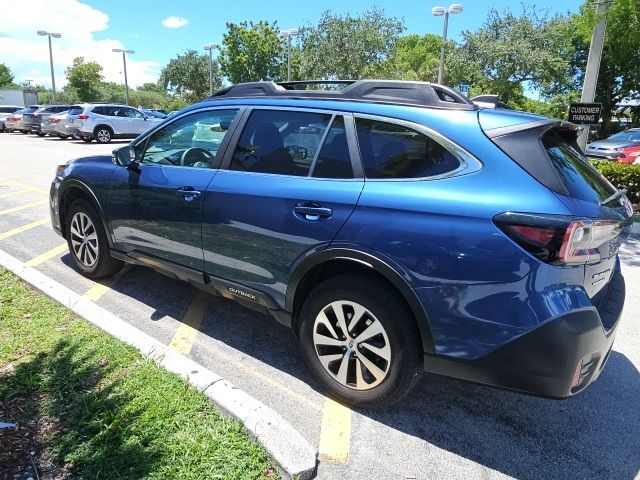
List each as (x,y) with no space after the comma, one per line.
(620,65)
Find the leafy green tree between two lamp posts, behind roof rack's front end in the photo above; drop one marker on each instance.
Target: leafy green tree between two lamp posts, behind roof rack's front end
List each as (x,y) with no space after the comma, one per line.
(252,51)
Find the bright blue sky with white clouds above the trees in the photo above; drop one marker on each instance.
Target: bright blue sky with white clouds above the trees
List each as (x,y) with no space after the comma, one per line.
(157,30)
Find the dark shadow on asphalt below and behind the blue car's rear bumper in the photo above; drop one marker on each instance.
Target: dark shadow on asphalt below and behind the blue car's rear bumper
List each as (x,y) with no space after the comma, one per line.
(595,434)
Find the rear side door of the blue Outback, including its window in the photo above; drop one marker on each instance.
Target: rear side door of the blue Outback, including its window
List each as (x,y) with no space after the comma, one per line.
(290,185)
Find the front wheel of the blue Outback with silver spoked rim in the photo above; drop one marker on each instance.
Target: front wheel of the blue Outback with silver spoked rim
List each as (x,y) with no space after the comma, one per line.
(87,241)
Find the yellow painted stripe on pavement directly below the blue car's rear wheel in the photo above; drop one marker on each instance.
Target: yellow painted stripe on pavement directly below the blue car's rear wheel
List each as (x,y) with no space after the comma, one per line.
(335,432)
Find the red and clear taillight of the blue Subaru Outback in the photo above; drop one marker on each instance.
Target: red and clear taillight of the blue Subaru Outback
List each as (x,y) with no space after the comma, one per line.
(557,239)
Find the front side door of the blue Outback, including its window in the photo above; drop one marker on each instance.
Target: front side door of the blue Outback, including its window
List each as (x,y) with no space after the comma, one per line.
(156,209)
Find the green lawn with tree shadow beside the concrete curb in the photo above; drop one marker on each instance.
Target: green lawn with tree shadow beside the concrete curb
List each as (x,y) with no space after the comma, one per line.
(94,408)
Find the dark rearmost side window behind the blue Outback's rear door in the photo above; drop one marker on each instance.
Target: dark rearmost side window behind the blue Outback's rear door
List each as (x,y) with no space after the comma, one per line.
(390,150)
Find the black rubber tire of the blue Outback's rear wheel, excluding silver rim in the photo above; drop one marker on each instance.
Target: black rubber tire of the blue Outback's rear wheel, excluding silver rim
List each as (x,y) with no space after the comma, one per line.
(404,368)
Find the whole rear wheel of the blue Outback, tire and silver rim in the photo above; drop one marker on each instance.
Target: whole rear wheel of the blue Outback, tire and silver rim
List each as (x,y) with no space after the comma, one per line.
(360,341)
